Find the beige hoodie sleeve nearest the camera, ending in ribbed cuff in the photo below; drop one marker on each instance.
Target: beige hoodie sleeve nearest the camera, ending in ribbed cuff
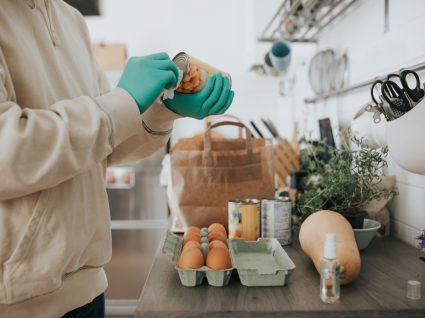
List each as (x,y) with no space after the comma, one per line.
(41,148)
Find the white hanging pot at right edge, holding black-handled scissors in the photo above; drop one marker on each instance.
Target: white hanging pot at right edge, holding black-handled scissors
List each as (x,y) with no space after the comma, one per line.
(404,139)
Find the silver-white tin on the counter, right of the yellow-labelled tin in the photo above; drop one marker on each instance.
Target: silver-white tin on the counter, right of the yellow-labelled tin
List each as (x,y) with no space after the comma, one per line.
(276,219)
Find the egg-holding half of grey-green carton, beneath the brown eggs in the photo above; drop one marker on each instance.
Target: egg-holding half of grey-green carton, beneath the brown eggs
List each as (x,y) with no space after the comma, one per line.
(172,248)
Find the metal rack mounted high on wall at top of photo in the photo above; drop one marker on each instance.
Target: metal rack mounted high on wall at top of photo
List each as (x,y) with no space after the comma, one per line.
(303,21)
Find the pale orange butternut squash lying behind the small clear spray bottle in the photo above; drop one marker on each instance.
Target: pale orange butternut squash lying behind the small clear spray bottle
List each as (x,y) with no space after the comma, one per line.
(312,238)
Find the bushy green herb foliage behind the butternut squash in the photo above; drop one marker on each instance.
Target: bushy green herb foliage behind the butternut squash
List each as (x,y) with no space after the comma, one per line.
(342,179)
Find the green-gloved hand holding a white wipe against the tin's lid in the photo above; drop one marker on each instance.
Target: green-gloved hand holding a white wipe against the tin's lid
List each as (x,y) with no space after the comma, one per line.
(145,77)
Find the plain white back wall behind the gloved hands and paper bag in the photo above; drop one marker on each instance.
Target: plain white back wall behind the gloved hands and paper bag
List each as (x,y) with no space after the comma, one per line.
(220,32)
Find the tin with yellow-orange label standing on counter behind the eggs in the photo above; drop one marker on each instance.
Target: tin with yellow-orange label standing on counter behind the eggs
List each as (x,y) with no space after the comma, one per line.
(244,219)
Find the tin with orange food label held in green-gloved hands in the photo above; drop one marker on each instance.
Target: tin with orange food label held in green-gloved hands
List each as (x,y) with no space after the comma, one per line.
(195,73)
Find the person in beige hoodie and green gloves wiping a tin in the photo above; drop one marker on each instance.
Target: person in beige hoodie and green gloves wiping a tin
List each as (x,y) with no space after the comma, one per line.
(61,125)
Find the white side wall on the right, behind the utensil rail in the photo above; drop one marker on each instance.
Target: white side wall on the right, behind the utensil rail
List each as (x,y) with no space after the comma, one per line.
(372,52)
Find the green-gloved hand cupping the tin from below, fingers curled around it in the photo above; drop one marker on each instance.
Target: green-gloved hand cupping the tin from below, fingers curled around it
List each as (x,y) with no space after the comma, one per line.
(213,99)
